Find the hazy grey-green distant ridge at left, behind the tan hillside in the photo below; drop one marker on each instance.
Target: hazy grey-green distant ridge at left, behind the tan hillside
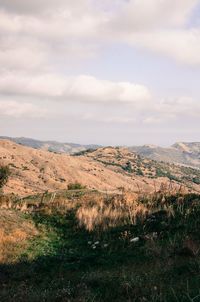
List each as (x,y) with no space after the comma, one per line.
(51,146)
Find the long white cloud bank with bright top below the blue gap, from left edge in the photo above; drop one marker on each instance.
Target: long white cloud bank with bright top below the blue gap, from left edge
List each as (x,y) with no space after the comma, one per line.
(83,88)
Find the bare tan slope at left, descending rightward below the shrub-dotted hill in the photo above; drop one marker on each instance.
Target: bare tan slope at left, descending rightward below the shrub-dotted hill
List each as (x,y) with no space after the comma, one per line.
(35,171)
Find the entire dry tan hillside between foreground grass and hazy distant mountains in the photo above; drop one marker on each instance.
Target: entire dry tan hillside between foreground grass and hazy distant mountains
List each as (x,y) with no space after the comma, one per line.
(106,169)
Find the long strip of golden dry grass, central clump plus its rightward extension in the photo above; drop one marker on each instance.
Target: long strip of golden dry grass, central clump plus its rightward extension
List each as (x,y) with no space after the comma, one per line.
(103,211)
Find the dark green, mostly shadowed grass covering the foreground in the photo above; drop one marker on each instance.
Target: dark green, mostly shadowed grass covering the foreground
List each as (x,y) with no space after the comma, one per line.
(61,264)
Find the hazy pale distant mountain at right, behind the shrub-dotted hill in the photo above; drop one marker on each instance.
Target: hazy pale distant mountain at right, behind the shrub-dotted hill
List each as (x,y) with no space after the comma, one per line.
(180,153)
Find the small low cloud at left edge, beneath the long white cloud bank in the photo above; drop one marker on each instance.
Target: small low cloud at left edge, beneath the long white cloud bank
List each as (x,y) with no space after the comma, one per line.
(20,109)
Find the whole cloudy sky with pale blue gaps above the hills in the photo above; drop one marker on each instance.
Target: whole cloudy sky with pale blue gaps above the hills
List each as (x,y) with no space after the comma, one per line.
(107,72)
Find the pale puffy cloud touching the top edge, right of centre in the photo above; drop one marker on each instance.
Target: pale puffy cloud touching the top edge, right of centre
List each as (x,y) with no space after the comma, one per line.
(145,15)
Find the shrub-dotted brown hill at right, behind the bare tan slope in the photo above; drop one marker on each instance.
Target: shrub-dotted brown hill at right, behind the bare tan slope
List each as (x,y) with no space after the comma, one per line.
(121,159)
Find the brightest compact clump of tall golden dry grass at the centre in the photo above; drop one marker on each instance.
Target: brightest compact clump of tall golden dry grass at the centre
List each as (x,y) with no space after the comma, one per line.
(110,211)
